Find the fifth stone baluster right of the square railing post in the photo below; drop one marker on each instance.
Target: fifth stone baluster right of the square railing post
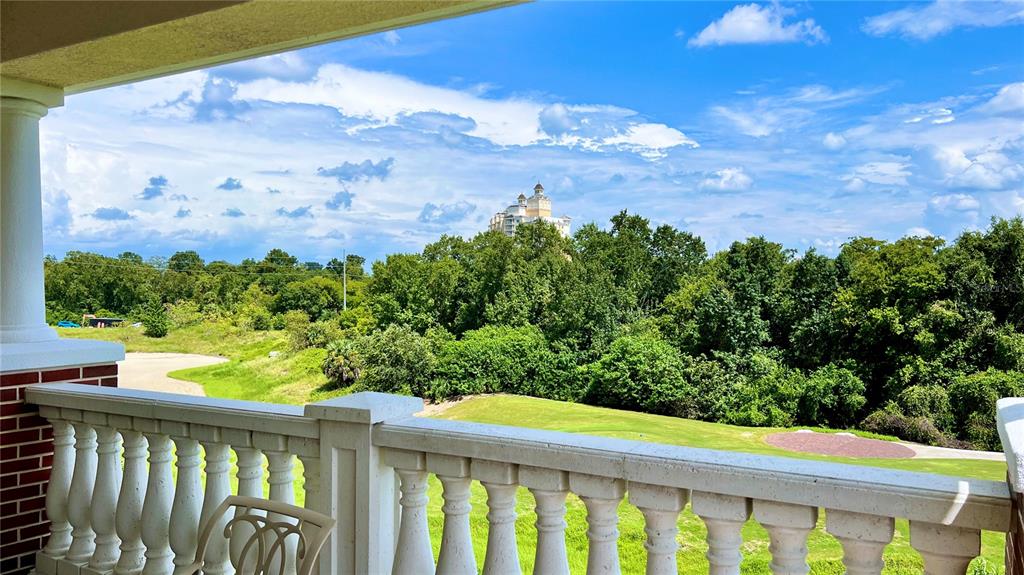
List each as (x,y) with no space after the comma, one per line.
(602,496)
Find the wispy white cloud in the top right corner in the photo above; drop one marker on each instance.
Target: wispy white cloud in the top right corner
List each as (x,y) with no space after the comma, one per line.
(942,17)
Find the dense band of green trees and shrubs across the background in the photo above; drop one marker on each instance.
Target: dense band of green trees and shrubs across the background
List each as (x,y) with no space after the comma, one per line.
(912,338)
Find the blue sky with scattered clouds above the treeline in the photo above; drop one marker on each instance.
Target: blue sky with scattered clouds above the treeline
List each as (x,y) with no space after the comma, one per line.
(808,123)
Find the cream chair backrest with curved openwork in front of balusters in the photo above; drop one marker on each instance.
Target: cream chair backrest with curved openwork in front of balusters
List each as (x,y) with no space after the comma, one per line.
(267,527)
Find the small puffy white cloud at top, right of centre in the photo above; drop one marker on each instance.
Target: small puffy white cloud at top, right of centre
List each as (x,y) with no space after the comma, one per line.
(756,24)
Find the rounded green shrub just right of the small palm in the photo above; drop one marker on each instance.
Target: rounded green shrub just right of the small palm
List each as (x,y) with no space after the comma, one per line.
(397,361)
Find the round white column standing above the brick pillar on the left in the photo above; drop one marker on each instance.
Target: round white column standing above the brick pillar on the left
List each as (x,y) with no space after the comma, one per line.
(23,312)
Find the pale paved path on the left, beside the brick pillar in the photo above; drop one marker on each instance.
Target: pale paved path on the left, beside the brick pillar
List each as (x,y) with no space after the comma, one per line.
(149,372)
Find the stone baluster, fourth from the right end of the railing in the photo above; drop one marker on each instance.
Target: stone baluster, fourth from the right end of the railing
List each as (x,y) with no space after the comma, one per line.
(724,516)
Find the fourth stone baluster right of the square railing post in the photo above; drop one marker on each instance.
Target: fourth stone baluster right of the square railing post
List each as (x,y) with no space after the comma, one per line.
(549,488)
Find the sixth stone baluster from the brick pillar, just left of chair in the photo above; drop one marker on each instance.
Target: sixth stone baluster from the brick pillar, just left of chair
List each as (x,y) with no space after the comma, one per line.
(184,529)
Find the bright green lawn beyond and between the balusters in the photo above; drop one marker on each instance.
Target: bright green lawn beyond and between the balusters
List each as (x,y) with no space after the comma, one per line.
(295,378)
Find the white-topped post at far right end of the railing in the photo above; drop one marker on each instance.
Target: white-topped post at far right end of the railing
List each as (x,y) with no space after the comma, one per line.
(1010,421)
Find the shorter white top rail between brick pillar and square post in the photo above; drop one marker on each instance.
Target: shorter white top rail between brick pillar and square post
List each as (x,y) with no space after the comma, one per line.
(252,416)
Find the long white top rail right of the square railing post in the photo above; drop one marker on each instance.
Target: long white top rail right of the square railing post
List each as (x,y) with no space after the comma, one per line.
(933,499)
